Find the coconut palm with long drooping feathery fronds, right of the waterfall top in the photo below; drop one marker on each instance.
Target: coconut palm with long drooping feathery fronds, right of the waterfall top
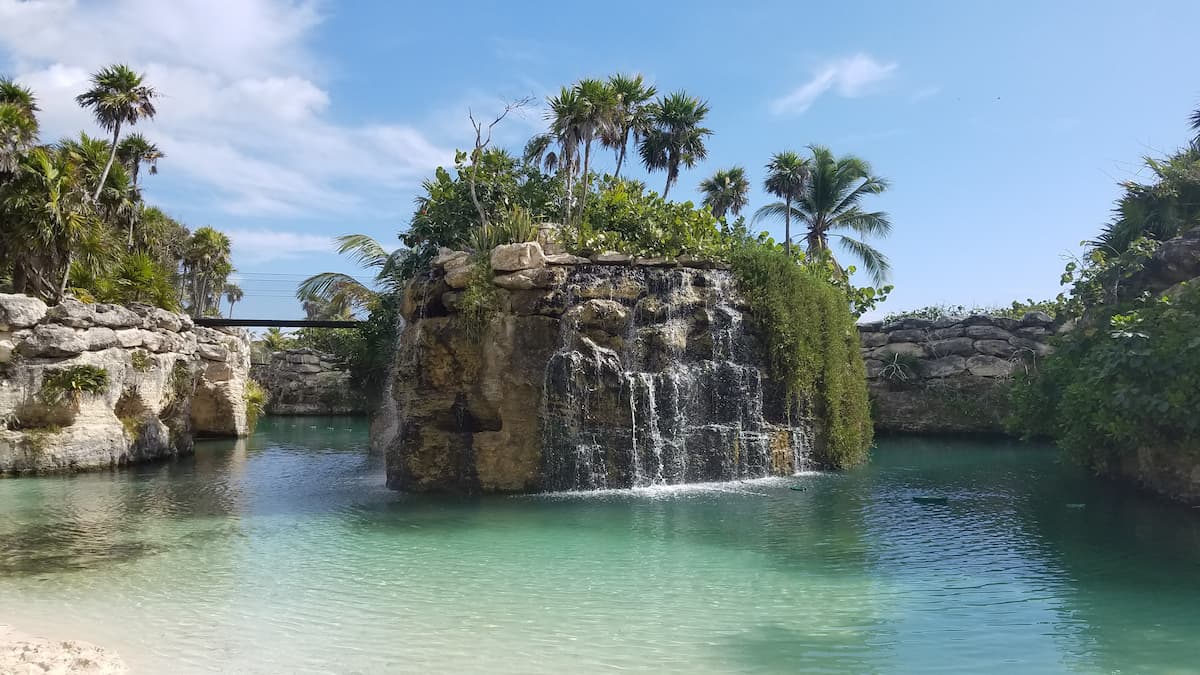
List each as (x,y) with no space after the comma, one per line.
(832,201)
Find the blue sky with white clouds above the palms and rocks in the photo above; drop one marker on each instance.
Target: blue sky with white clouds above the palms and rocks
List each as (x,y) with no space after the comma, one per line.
(1004,128)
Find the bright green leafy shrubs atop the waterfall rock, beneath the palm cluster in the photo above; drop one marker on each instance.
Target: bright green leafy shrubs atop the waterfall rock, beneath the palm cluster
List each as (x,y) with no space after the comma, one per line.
(627,218)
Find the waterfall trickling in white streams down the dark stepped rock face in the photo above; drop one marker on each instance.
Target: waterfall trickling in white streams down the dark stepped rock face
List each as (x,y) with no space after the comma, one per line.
(657,380)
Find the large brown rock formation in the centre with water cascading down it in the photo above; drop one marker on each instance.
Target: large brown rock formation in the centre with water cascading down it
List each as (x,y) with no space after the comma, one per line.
(583,375)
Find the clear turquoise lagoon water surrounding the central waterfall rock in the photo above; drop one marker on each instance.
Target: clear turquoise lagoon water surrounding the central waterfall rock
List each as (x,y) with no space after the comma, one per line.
(285,554)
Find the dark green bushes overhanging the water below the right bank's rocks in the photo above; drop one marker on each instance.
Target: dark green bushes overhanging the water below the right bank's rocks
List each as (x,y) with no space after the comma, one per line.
(1120,384)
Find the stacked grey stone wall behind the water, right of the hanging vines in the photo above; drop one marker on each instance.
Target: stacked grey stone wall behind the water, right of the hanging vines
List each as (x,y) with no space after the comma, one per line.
(951,375)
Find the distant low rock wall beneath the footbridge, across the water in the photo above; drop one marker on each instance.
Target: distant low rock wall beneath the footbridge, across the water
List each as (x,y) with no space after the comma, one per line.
(308,383)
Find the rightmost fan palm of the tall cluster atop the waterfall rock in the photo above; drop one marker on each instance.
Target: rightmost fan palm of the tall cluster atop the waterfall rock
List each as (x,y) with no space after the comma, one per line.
(675,138)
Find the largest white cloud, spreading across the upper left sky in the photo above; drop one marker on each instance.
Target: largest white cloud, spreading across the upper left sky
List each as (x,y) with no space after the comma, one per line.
(243,117)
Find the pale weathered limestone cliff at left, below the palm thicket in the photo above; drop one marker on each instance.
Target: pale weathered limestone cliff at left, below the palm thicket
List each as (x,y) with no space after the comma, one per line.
(92,386)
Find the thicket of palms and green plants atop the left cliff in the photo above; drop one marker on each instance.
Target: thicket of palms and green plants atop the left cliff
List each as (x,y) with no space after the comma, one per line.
(75,220)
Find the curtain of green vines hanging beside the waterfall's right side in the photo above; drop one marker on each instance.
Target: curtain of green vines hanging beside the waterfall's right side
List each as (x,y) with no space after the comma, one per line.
(812,347)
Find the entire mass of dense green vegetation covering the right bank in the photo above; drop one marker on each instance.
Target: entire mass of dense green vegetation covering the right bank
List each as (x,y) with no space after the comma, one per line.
(1125,378)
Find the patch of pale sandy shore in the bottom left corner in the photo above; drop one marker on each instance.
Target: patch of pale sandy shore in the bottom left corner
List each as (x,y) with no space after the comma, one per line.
(22,653)
